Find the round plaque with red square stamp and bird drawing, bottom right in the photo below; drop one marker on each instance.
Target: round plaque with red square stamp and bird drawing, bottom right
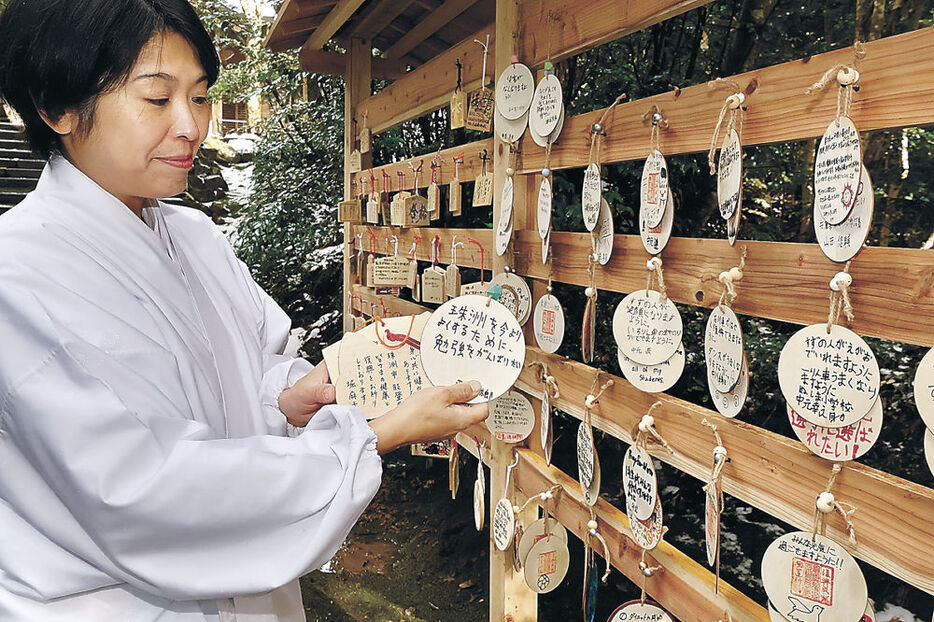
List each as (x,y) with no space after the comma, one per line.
(813,578)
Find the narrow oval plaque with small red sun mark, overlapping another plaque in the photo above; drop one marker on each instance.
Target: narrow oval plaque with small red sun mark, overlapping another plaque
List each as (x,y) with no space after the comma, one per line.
(837,170)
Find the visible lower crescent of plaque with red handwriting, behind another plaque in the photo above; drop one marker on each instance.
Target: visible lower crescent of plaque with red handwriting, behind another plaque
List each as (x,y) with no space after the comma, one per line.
(839,444)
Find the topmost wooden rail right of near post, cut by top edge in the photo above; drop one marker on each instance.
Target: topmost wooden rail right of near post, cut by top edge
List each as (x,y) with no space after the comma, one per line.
(585,24)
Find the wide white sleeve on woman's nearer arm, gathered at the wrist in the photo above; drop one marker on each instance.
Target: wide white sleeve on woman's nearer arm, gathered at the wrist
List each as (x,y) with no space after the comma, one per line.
(169,510)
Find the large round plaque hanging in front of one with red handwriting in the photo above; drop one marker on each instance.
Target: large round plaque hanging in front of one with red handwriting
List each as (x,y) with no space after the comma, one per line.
(832,380)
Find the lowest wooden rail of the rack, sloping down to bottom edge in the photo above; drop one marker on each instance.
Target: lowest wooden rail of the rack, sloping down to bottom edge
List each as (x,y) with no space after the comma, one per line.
(685,588)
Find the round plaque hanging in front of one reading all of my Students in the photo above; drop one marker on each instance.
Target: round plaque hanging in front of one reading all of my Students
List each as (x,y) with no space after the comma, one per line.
(647,329)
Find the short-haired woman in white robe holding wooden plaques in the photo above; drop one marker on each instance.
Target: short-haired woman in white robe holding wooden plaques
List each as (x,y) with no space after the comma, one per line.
(148,470)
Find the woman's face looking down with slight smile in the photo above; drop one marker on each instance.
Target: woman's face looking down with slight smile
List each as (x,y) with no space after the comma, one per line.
(146,133)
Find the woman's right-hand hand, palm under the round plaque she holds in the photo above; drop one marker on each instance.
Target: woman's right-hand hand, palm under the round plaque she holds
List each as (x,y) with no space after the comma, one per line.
(430,415)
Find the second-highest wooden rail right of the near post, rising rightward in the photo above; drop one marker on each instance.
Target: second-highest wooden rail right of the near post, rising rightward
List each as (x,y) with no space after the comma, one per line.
(778,109)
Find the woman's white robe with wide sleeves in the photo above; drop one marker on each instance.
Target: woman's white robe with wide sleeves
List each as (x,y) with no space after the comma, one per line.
(145,469)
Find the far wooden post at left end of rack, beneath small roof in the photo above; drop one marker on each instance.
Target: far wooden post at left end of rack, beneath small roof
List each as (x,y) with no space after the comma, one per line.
(357,87)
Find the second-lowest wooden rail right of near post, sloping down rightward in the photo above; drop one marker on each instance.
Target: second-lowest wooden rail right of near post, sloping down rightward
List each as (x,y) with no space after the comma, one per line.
(773,473)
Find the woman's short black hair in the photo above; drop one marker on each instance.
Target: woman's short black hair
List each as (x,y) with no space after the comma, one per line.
(61,55)
